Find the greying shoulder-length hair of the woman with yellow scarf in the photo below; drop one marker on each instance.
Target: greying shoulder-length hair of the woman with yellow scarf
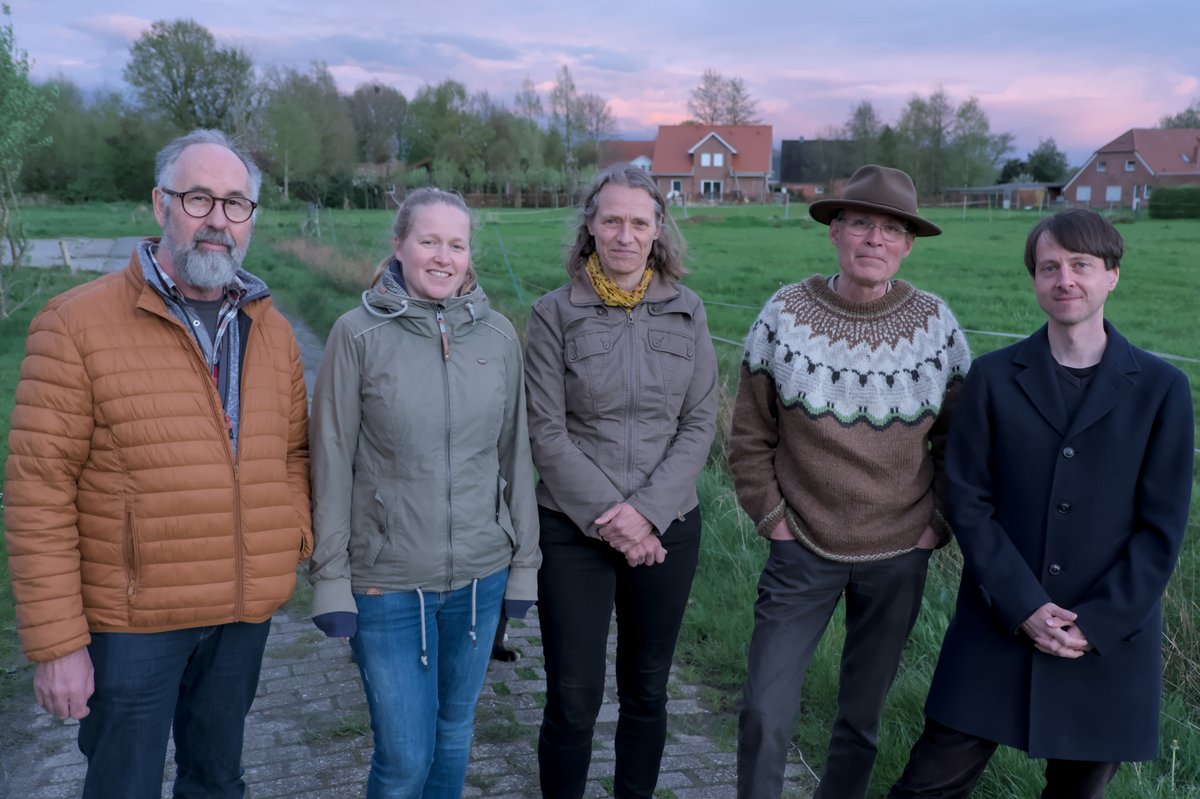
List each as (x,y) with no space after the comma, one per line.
(668,251)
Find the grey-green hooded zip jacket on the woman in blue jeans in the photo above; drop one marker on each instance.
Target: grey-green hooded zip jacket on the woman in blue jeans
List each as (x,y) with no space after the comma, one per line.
(422,473)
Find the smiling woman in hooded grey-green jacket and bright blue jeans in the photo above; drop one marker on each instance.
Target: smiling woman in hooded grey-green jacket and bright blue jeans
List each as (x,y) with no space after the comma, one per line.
(423,496)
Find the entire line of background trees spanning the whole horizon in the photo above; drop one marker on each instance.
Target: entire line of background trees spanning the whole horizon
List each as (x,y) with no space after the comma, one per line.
(320,146)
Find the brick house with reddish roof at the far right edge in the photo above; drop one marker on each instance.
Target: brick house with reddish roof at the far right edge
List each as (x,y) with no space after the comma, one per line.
(1124,172)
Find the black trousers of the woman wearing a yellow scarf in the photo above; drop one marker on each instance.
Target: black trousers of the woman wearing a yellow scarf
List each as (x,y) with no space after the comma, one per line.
(580,582)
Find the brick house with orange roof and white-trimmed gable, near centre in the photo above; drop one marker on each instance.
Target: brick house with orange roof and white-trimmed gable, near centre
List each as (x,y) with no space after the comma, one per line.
(713,163)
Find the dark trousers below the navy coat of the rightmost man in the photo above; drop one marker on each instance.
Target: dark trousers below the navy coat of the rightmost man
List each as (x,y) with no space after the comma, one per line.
(946,764)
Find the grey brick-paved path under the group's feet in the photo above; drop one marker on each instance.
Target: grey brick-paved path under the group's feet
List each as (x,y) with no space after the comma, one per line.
(309,737)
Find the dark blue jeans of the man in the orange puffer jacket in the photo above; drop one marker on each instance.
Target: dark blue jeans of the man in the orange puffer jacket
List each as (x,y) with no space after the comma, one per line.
(200,682)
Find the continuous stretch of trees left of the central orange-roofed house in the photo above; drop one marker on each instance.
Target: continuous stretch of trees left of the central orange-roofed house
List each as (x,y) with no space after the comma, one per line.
(310,140)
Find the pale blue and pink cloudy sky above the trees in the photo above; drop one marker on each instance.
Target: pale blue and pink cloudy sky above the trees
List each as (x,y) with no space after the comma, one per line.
(1079,73)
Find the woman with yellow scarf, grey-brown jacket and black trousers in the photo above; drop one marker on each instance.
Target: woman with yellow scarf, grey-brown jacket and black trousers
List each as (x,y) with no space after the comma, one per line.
(621,379)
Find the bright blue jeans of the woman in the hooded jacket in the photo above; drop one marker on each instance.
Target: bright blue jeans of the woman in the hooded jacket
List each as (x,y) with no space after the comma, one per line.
(423,716)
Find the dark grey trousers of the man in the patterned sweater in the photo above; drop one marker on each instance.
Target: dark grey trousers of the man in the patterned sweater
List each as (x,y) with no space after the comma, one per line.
(797,596)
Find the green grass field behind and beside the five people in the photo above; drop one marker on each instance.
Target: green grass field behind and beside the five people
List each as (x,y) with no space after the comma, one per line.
(739,257)
